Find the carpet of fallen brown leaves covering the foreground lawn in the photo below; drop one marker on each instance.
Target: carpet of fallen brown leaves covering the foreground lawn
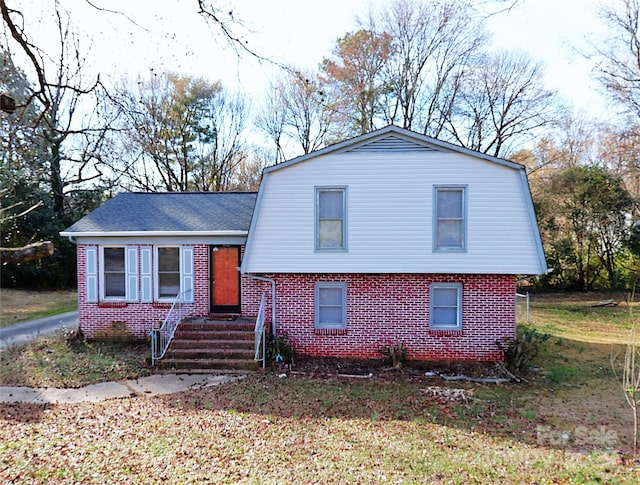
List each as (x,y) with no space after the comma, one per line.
(269,430)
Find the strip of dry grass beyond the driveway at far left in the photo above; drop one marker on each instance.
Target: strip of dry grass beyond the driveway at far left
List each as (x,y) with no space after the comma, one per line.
(21,305)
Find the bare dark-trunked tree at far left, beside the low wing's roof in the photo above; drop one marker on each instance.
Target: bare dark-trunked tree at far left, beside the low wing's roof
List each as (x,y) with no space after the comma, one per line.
(69,120)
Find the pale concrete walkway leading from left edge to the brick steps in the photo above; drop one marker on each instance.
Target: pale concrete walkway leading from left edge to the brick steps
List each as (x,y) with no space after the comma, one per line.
(144,386)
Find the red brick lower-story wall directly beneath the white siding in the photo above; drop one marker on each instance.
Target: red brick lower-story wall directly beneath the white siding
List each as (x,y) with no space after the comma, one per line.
(384,309)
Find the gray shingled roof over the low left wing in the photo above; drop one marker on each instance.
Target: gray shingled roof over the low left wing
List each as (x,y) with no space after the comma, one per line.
(169,213)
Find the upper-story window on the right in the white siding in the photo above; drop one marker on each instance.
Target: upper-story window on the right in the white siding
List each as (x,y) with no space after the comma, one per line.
(449,219)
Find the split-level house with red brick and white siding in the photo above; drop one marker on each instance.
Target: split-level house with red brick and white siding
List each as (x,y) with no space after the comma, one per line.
(390,237)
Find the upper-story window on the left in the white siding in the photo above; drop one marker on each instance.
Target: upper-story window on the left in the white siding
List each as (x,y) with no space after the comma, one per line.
(331,219)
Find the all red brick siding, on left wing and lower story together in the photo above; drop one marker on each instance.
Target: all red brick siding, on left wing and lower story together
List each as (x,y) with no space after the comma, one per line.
(381,310)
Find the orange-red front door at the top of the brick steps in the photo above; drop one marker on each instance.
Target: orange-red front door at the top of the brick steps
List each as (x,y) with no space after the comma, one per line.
(225,279)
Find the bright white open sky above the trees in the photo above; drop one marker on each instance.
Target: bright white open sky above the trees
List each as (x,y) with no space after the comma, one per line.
(170,35)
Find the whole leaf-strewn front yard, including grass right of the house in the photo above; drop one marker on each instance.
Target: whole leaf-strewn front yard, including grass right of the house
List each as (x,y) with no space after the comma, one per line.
(569,424)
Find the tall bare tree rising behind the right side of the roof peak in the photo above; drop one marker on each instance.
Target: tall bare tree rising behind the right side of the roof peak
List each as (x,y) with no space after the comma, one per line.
(433,44)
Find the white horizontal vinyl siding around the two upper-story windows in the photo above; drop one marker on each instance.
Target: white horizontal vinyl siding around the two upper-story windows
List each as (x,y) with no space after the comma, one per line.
(390,211)
